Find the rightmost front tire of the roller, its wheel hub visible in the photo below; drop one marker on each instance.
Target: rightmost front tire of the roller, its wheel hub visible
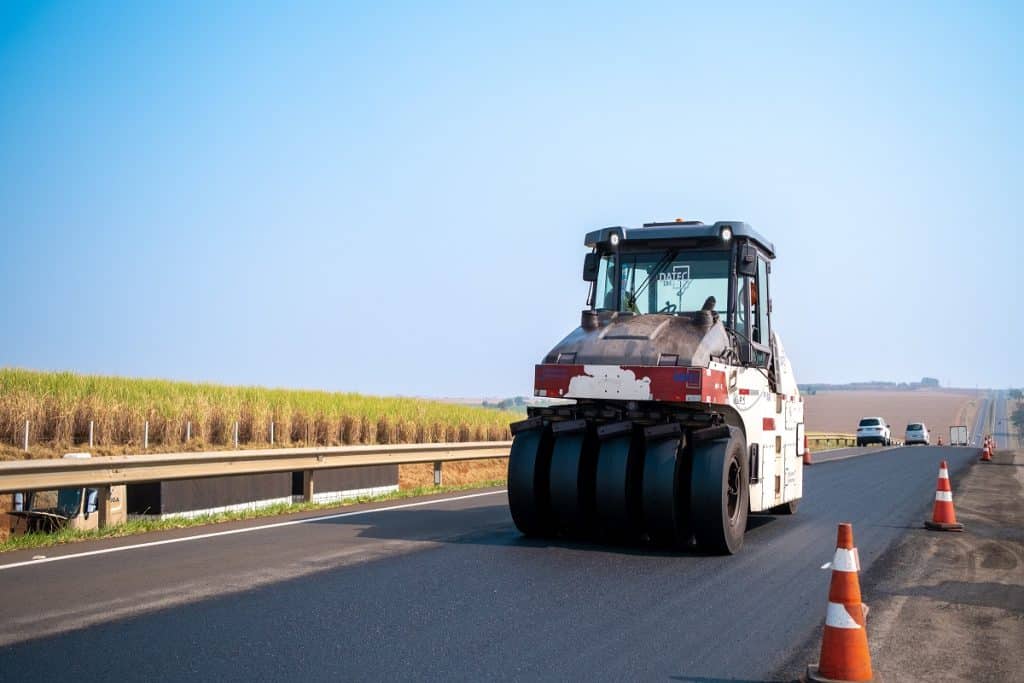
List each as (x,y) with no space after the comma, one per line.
(720,494)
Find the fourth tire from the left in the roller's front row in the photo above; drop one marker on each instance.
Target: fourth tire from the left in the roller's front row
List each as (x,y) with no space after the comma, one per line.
(663,504)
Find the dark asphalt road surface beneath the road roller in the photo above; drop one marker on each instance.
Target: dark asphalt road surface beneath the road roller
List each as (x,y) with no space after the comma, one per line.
(449,590)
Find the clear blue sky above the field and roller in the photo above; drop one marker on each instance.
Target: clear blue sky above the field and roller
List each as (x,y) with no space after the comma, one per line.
(392,199)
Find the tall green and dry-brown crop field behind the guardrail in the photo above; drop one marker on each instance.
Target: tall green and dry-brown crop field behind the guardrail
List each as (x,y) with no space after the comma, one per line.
(61,406)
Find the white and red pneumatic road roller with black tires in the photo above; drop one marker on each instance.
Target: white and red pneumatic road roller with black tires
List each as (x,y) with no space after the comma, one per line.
(671,414)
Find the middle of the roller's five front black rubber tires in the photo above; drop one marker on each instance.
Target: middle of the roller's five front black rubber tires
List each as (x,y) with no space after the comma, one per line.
(617,487)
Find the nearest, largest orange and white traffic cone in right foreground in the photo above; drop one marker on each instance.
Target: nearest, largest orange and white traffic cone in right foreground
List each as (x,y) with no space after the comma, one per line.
(844,644)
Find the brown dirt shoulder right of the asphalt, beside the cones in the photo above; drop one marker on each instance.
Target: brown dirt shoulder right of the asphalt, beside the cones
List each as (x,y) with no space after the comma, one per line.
(951,607)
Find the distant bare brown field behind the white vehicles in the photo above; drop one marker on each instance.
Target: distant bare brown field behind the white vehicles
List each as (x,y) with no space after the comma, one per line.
(841,411)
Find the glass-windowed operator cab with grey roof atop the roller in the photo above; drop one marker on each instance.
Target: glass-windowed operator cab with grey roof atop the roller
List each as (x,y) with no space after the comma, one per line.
(687,269)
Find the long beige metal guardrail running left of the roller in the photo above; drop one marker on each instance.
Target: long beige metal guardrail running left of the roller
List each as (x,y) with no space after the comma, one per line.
(108,472)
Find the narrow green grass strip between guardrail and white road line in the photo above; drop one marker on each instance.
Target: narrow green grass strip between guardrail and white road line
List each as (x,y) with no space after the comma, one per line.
(137,527)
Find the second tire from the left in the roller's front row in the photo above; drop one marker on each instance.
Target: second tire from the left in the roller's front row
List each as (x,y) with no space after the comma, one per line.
(572,482)
